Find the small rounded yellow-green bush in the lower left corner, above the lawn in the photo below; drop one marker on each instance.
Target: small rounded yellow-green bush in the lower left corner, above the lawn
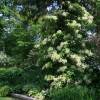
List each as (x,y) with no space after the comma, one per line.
(5,91)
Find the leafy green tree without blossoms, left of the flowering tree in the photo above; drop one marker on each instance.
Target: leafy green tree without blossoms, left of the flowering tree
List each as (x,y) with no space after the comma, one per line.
(16,33)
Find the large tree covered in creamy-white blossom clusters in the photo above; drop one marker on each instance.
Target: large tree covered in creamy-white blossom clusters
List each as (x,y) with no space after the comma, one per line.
(62,49)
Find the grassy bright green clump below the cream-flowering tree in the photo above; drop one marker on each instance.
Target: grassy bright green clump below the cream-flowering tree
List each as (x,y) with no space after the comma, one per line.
(72,93)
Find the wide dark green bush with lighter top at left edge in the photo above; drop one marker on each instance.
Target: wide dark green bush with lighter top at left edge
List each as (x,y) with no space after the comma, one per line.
(11,75)
